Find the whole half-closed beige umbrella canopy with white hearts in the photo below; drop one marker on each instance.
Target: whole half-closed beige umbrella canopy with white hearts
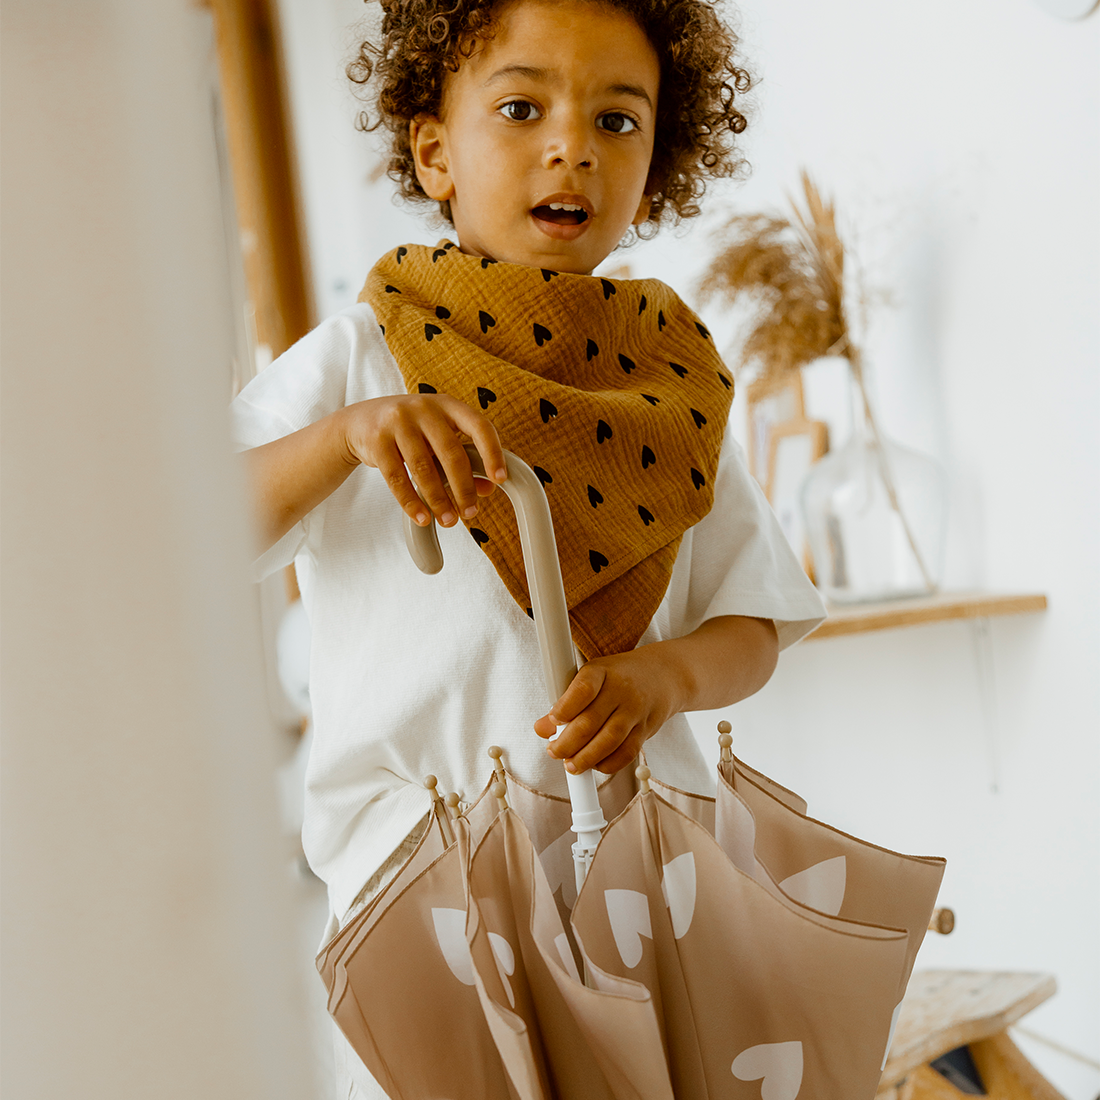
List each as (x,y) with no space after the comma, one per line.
(719,948)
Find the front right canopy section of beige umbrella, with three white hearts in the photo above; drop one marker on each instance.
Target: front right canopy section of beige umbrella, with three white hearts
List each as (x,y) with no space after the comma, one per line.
(758,995)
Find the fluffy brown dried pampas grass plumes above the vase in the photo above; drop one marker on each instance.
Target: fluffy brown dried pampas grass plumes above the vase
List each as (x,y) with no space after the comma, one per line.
(791,273)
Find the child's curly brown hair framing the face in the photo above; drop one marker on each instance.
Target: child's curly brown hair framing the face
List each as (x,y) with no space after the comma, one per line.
(697,118)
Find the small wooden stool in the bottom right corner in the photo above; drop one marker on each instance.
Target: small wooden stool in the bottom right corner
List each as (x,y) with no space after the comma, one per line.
(965,1015)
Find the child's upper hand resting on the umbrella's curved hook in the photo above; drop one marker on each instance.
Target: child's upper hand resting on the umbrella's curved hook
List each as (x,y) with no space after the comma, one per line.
(424,433)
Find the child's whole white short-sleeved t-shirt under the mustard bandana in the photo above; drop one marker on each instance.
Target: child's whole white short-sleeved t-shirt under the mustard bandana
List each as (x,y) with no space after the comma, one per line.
(413,675)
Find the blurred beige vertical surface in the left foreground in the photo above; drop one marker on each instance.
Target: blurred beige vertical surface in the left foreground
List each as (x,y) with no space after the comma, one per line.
(147,943)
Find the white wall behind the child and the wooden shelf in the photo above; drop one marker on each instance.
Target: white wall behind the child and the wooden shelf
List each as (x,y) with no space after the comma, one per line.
(961,141)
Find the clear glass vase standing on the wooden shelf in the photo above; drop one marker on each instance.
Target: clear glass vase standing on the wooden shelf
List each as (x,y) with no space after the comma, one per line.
(876,520)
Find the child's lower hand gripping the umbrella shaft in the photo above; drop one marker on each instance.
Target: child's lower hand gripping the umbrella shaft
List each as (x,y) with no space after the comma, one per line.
(613,707)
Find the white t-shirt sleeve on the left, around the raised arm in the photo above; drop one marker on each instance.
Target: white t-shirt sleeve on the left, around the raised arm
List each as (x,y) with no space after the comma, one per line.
(309,382)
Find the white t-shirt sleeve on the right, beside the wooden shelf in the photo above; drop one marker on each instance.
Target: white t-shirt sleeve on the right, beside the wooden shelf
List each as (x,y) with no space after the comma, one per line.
(739,560)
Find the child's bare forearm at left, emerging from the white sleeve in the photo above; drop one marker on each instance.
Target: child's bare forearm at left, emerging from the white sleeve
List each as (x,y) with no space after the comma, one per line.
(293,476)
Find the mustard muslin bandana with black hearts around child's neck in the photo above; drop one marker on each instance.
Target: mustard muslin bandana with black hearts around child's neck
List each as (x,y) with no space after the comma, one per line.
(611,390)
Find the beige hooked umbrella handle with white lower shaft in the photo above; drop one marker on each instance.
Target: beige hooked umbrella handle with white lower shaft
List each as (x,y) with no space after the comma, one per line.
(552,618)
